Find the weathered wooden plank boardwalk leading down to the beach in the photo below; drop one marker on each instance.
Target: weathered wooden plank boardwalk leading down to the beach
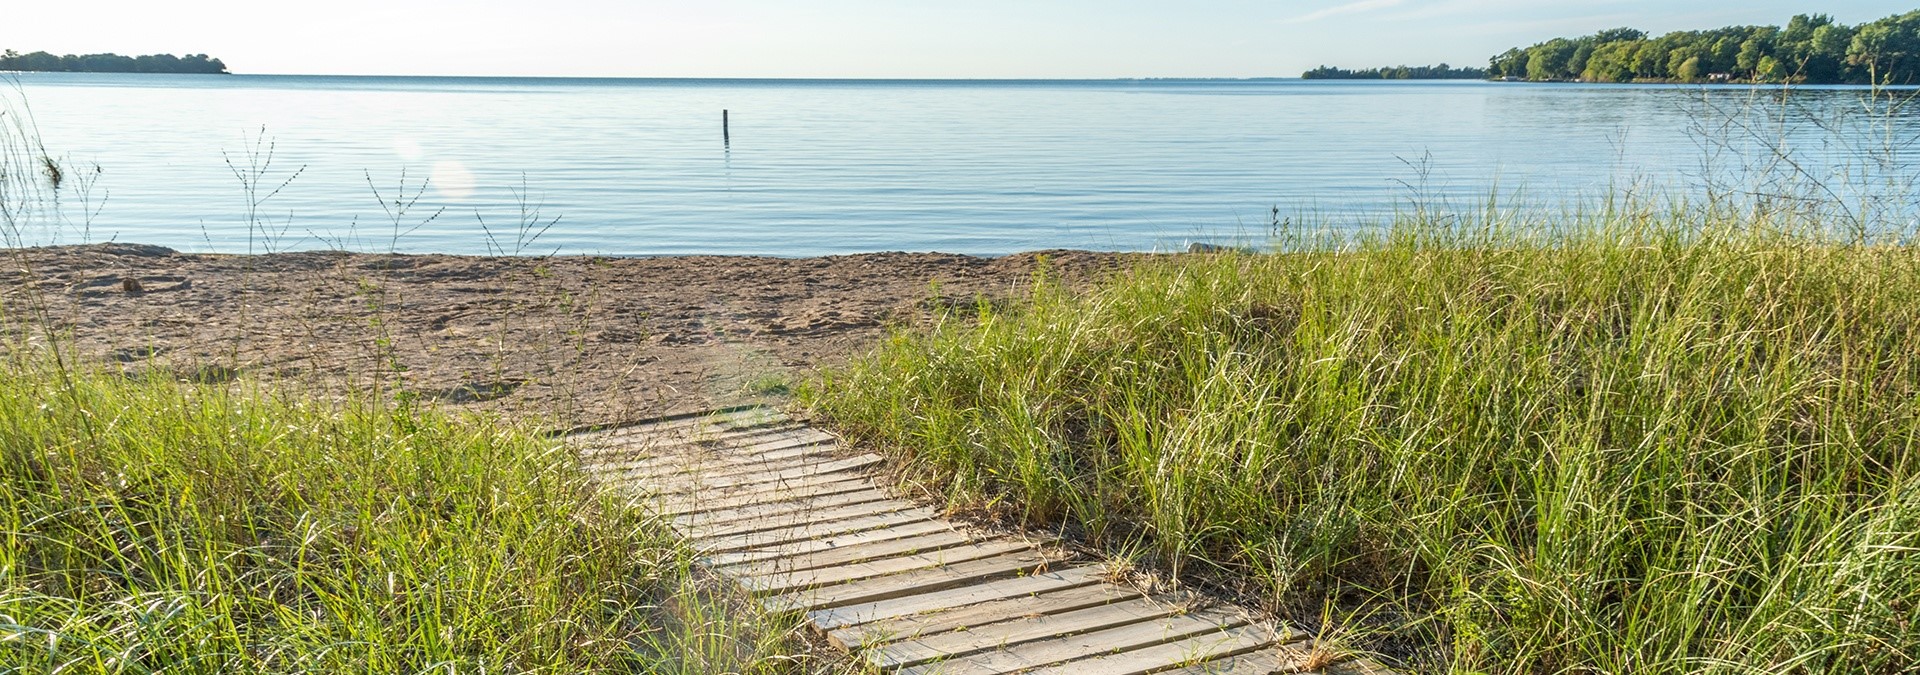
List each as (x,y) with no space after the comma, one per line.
(800,524)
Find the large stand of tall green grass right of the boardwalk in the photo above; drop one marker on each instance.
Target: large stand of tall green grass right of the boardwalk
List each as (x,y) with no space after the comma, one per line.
(1623,442)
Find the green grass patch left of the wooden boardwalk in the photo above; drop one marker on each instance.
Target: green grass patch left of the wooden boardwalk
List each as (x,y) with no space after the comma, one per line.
(158,526)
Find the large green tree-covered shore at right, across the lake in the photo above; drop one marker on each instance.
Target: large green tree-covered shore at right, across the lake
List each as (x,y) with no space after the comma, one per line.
(1808,51)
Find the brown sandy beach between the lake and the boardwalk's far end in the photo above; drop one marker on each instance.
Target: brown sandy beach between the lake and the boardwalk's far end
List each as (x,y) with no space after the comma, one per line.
(575,340)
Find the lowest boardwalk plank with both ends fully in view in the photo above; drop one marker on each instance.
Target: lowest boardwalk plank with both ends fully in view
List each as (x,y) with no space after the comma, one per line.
(1009,634)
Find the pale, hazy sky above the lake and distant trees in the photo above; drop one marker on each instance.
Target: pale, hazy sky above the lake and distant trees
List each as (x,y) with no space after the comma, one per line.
(861,39)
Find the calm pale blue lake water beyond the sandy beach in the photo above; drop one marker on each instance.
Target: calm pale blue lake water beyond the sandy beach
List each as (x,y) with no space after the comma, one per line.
(811,168)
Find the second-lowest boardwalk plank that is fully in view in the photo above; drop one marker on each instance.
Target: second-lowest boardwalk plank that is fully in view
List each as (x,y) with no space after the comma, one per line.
(980,615)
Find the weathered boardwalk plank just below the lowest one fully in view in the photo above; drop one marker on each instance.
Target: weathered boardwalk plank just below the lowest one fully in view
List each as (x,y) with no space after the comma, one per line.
(1084,645)
